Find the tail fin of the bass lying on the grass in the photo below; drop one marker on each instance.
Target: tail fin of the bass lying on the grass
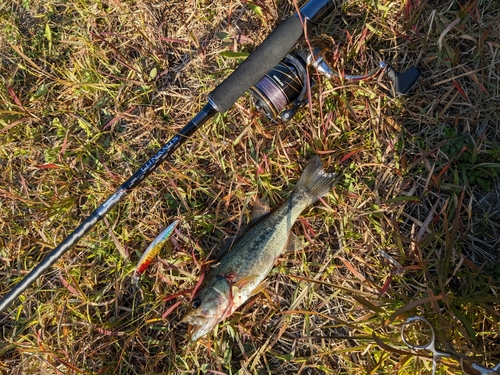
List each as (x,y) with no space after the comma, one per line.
(314,180)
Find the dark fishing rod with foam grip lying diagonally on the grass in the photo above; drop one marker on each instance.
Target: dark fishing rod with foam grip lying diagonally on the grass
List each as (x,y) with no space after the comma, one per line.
(266,56)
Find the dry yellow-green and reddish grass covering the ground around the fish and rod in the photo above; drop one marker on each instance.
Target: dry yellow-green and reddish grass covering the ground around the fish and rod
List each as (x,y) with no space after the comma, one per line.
(90,90)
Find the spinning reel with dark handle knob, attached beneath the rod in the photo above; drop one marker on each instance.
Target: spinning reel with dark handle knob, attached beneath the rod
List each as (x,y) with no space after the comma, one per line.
(286,84)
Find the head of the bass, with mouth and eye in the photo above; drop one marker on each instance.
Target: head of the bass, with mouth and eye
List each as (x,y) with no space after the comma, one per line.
(209,306)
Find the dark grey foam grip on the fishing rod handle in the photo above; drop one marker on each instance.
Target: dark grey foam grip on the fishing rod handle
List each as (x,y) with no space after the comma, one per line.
(261,60)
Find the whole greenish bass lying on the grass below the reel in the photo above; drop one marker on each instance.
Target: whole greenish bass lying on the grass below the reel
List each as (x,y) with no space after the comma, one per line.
(241,271)
